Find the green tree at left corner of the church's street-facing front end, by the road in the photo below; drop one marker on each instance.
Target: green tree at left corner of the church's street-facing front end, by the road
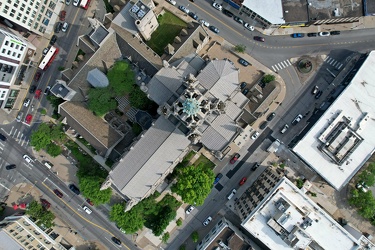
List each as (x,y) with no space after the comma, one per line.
(90,188)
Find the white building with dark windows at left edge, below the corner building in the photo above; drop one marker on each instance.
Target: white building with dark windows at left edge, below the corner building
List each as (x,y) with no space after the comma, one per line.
(14,52)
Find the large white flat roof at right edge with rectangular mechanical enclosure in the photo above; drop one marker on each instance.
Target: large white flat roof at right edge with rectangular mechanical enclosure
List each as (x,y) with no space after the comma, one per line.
(342,140)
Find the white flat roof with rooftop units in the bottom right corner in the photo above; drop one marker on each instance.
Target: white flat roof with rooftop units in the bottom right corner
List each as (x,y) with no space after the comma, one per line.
(288,219)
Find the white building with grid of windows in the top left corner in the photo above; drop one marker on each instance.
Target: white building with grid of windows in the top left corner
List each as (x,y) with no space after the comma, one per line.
(34,15)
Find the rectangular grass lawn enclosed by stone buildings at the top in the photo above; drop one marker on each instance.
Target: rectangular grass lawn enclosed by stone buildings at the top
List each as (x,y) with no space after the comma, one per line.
(169,27)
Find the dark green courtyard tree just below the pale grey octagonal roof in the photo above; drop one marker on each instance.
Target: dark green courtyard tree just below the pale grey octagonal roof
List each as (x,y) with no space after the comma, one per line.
(101,101)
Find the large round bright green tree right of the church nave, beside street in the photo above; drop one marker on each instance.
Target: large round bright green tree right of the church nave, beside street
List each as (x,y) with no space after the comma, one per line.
(194,183)
